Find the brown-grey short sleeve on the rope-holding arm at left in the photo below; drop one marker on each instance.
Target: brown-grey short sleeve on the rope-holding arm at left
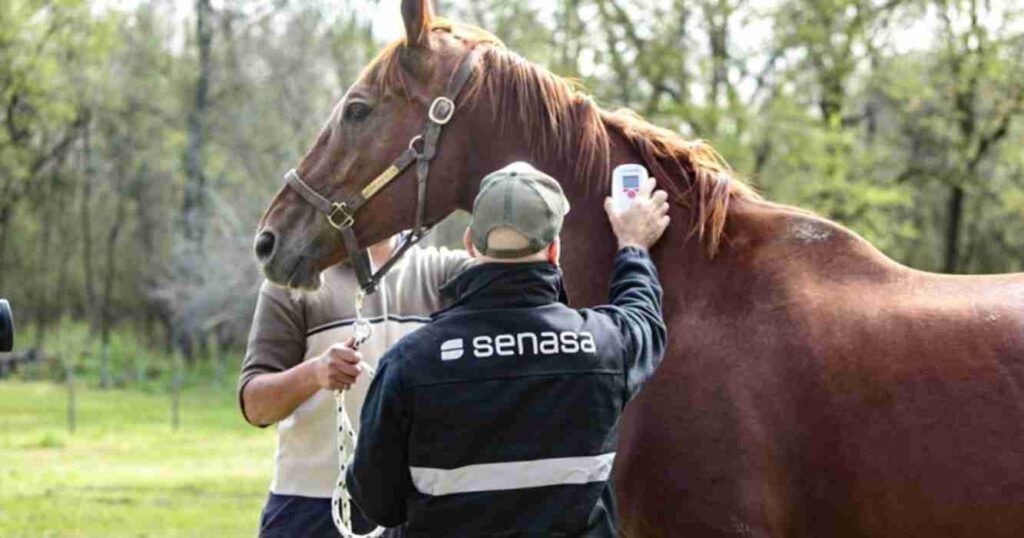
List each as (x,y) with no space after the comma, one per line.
(277,339)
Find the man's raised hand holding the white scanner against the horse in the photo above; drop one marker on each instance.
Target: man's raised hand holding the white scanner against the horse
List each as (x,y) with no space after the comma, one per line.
(643,225)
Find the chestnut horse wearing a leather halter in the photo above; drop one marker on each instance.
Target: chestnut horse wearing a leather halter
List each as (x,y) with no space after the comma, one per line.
(814,387)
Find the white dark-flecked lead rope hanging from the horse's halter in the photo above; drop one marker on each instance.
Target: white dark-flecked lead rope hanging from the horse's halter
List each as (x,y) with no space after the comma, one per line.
(342,502)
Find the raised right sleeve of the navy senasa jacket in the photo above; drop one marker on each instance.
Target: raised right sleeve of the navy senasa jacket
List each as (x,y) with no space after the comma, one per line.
(635,307)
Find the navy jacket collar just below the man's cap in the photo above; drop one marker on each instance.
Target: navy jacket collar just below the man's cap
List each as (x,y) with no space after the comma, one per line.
(506,286)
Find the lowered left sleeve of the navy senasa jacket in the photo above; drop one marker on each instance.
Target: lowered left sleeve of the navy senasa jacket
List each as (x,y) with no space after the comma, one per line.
(378,479)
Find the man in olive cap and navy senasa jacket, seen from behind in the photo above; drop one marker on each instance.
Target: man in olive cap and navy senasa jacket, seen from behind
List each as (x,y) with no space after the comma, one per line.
(500,417)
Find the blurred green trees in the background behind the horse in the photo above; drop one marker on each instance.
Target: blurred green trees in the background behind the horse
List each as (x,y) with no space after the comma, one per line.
(902,119)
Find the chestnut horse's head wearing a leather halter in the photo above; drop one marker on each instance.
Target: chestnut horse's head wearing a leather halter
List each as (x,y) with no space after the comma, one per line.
(370,129)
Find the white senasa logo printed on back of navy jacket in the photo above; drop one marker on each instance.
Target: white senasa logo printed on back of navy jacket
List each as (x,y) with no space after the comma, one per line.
(548,343)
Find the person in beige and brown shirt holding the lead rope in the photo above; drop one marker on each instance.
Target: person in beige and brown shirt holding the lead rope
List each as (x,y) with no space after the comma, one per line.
(295,359)
